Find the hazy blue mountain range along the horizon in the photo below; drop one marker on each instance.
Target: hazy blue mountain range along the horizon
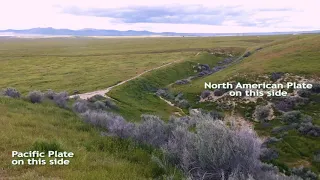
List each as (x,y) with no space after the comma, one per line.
(102,32)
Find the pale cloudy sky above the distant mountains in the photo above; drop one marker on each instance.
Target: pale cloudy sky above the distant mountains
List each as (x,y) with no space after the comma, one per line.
(184,16)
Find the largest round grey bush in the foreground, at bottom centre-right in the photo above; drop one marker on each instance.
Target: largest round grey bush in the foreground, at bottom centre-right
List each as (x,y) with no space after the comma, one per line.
(213,151)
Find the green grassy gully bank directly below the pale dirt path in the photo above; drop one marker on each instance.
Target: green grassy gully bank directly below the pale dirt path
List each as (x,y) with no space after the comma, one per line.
(137,96)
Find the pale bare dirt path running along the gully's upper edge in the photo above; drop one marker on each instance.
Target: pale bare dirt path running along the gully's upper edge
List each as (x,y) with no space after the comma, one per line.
(104,91)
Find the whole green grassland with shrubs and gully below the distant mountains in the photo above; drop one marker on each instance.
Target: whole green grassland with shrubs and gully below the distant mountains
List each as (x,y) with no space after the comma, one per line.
(112,140)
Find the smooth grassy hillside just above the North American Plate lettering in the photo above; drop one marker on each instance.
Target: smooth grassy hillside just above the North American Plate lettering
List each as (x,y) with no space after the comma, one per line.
(297,54)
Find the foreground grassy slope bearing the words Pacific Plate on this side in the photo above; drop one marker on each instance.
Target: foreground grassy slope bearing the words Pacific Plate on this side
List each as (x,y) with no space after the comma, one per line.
(96,157)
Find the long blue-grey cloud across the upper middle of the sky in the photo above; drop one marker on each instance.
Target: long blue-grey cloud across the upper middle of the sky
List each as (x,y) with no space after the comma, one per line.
(197,14)
